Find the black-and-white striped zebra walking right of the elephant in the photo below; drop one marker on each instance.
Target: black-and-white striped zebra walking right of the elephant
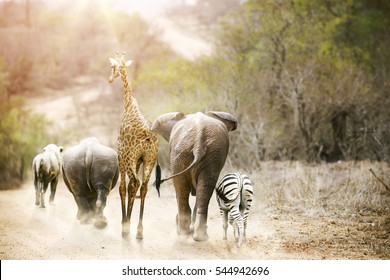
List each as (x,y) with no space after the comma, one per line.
(234,195)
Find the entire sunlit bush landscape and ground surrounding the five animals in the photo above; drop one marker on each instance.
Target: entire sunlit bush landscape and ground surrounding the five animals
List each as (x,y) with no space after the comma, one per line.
(308,81)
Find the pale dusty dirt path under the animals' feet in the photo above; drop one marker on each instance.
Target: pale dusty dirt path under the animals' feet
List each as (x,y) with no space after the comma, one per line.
(29,232)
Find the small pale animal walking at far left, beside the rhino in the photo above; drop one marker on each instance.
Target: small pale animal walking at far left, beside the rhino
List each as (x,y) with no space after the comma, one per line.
(46,168)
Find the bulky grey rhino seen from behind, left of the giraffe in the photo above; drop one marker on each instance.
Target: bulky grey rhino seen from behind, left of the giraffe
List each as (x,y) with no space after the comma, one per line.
(90,172)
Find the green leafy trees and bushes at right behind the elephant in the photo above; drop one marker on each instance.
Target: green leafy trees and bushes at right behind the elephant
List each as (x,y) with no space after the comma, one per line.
(301,87)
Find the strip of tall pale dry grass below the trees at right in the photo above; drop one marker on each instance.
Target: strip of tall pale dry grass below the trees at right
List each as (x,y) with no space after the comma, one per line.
(345,187)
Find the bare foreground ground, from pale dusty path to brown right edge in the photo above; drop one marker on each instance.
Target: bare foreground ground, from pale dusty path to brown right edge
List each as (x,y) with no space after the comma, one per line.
(29,232)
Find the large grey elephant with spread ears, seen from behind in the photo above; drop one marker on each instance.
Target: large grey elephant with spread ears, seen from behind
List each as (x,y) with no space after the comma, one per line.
(199,145)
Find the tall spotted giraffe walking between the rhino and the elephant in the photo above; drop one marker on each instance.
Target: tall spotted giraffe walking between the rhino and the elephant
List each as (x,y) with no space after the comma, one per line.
(136,144)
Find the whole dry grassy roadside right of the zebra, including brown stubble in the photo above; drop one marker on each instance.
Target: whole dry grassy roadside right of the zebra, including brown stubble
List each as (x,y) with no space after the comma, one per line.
(332,211)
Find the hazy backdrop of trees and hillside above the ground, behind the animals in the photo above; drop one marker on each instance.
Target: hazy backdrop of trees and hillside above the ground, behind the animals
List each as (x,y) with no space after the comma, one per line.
(308,80)
